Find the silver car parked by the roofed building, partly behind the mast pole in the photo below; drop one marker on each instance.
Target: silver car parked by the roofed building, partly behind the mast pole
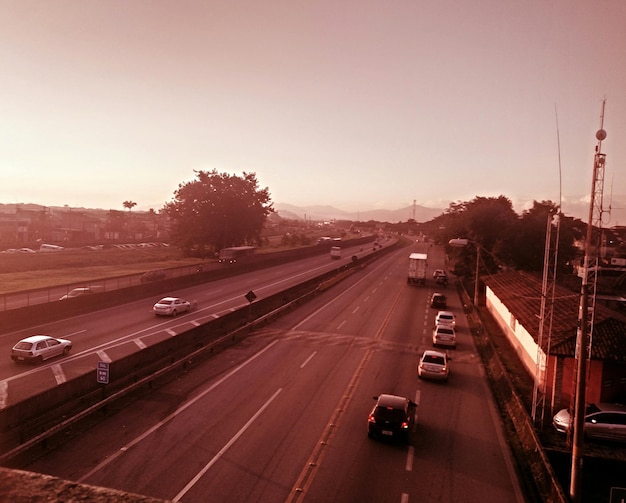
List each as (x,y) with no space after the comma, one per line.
(605,421)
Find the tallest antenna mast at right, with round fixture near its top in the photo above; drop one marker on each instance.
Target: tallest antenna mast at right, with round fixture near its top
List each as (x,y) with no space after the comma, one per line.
(584,326)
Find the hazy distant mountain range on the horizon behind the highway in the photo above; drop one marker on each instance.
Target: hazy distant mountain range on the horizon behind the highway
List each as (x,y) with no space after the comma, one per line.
(419,213)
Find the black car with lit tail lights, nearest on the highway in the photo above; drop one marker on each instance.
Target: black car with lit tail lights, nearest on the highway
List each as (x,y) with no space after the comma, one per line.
(392,417)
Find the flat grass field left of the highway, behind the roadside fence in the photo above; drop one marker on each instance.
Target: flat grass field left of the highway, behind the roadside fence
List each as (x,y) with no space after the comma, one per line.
(25,271)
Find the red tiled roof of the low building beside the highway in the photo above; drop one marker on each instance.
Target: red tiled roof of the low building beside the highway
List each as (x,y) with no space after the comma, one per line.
(521,293)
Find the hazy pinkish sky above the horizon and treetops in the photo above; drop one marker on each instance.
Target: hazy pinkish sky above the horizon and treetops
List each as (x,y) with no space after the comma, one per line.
(358,104)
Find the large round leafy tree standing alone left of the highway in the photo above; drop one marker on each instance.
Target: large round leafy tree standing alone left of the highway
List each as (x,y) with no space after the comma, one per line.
(217,210)
